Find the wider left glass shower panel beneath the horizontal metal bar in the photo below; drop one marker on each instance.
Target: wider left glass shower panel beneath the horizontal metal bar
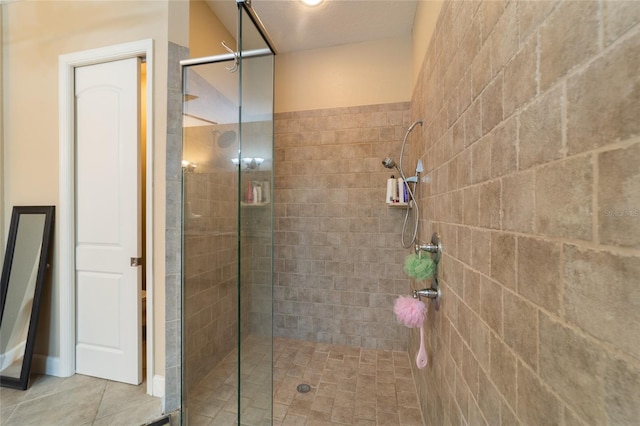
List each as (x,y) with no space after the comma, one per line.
(210,332)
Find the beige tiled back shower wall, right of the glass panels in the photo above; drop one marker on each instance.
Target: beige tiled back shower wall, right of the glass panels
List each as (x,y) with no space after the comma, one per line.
(338,257)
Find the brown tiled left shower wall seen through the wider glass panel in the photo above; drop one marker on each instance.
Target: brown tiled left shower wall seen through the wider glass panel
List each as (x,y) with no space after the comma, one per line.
(210,284)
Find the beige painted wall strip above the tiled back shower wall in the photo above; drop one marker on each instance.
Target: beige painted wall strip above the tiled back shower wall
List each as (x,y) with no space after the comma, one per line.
(355,74)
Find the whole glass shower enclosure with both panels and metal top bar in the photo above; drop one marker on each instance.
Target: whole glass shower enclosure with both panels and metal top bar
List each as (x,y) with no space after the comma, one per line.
(227,264)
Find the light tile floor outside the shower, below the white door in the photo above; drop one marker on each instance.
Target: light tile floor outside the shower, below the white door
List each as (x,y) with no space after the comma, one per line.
(77,401)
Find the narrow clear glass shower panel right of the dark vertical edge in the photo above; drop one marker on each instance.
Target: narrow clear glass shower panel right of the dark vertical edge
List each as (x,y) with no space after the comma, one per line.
(256,226)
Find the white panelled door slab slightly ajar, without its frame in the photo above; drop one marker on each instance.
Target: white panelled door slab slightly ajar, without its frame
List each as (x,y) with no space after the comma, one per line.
(108,287)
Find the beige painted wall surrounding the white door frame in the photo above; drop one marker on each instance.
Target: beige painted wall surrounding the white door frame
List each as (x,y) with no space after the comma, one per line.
(35,34)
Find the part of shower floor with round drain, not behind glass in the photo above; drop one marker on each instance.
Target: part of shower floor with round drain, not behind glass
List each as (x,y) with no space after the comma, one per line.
(349,386)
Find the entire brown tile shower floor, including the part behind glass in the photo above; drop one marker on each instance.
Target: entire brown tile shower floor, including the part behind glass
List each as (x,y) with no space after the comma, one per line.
(348,386)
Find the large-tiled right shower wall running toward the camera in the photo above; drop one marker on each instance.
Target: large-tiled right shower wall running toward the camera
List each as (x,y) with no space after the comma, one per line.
(531,142)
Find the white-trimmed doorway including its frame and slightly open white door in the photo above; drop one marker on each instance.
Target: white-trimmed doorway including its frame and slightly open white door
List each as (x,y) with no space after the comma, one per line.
(84,173)
